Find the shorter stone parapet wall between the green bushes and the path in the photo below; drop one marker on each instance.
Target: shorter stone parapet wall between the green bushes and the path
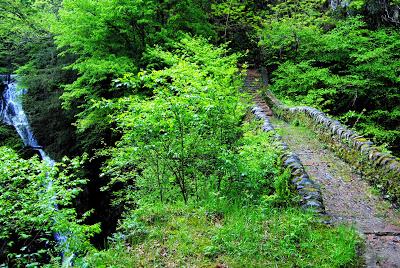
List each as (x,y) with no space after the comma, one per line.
(308,190)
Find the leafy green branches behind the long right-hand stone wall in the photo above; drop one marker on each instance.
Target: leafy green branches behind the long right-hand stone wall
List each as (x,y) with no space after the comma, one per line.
(347,68)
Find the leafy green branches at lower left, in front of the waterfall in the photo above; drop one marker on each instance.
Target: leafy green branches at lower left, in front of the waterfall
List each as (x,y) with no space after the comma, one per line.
(30,191)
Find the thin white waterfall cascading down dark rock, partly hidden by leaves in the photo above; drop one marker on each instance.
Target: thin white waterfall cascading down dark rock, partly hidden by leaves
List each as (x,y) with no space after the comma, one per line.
(12,113)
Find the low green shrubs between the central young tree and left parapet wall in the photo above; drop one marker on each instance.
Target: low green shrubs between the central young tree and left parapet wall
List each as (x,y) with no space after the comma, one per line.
(254,171)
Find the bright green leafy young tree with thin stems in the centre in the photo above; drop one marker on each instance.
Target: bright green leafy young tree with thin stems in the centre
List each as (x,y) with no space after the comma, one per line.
(172,142)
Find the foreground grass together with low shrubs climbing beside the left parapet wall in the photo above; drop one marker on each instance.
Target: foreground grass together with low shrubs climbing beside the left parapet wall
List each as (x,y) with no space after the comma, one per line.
(255,222)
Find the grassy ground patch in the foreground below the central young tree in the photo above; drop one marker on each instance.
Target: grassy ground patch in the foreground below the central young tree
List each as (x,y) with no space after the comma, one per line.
(226,235)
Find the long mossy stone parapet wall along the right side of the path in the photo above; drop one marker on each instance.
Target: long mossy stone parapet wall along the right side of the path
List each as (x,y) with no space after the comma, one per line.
(379,168)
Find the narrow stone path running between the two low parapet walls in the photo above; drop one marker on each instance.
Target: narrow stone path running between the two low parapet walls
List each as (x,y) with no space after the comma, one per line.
(348,199)
